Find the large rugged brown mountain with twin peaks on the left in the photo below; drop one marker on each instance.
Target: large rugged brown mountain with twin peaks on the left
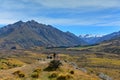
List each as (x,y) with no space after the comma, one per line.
(31,34)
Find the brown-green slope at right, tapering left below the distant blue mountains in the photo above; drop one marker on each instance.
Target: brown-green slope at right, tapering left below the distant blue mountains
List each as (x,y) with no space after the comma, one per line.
(112,46)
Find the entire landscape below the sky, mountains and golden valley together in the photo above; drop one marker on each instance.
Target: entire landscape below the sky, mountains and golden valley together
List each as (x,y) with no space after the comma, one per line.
(35,51)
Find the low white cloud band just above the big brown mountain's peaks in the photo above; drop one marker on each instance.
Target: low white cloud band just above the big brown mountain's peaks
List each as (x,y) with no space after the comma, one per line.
(52,21)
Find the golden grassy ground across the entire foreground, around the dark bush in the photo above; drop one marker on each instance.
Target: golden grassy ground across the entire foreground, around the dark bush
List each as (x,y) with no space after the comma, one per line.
(32,65)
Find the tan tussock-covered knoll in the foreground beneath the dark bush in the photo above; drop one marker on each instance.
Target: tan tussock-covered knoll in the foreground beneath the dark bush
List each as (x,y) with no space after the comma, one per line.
(37,72)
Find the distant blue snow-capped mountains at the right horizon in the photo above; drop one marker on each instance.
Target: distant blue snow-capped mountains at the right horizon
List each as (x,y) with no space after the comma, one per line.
(96,39)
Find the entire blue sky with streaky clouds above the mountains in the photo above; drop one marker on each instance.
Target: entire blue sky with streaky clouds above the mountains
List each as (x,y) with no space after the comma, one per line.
(77,16)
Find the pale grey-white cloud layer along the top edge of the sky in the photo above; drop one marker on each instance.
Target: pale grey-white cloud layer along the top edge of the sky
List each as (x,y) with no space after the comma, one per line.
(70,4)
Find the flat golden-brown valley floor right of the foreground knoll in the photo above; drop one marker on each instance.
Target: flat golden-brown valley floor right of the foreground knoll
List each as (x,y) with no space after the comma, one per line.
(109,64)
